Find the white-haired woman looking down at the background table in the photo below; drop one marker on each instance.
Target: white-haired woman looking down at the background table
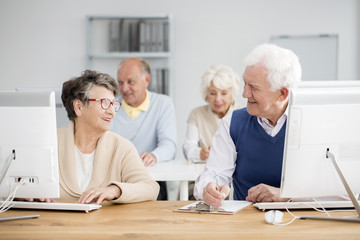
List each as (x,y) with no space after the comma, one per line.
(219,87)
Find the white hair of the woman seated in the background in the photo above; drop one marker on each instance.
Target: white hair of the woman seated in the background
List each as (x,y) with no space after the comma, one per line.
(222,77)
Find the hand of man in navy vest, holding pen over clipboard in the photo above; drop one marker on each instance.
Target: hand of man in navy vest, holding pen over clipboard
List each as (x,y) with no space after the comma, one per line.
(214,197)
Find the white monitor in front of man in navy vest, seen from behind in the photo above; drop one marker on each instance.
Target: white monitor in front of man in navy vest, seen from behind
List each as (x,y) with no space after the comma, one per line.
(321,119)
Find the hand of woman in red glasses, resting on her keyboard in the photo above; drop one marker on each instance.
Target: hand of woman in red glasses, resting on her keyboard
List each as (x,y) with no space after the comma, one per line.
(100,194)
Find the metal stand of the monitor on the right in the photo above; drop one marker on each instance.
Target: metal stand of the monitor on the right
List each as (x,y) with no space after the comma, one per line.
(348,190)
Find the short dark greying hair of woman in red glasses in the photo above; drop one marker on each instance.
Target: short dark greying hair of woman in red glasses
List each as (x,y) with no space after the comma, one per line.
(79,87)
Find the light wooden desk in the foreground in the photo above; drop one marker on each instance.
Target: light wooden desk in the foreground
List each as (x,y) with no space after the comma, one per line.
(156,220)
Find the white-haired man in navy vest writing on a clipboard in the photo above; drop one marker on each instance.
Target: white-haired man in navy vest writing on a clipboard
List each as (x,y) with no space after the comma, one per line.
(247,149)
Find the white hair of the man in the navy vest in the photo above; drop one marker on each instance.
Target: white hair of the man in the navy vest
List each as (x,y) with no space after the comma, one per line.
(284,69)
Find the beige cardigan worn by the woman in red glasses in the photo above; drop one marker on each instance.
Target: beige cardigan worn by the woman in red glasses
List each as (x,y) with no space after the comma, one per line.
(116,161)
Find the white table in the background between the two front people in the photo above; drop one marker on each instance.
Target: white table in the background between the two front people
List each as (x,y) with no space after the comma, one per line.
(177,170)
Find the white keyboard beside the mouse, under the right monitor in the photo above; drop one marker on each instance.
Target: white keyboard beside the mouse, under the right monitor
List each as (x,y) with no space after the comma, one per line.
(304,205)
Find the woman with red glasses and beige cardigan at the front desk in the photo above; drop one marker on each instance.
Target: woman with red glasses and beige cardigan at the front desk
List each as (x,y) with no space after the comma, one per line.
(96,164)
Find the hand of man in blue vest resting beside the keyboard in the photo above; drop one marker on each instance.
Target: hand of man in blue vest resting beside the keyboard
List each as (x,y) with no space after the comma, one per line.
(264,193)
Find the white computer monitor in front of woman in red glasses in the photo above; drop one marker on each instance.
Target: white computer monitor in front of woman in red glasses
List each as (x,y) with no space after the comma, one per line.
(28,144)
